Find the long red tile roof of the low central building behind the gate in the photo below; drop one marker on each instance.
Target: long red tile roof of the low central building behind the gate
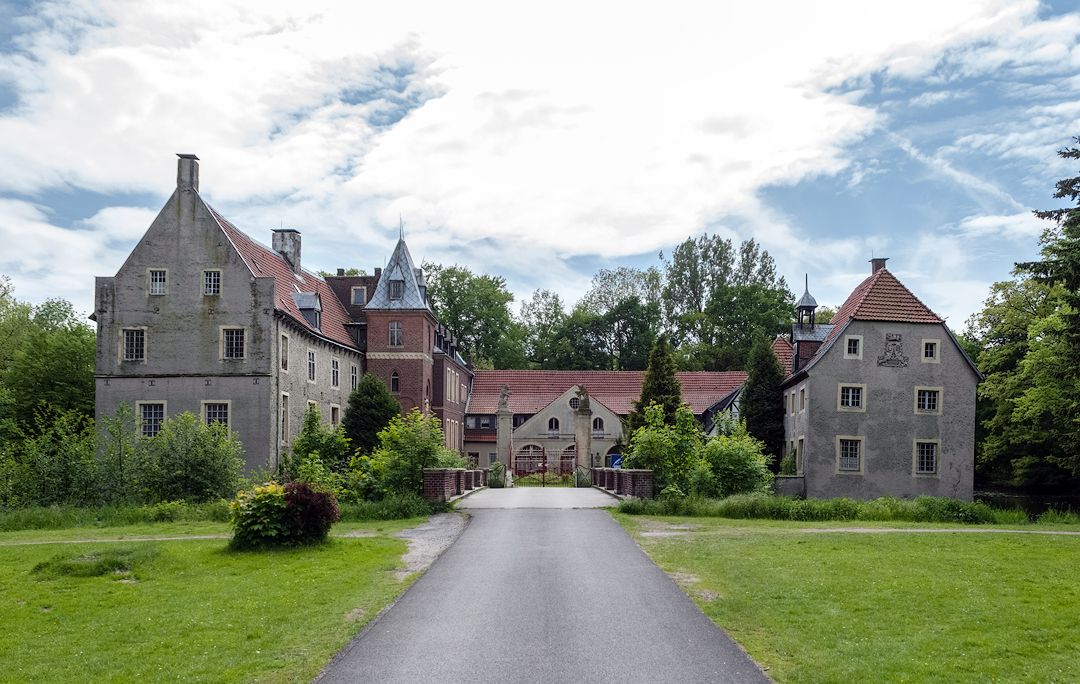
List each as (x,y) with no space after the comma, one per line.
(618,391)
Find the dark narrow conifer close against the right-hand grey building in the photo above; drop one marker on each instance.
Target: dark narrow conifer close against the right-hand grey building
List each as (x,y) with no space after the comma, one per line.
(762,403)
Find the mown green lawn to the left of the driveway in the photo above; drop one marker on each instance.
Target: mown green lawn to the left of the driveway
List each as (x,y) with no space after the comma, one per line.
(190,610)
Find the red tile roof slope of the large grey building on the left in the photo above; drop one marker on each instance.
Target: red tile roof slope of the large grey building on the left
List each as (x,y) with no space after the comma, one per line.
(265,262)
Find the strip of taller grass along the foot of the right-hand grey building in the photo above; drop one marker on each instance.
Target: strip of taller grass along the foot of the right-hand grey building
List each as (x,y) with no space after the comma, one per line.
(767,507)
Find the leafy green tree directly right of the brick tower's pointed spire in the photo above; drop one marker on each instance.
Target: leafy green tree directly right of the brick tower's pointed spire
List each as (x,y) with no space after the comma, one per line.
(477,312)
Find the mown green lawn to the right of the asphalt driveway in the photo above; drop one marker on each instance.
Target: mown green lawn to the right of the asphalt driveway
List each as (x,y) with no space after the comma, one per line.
(885,607)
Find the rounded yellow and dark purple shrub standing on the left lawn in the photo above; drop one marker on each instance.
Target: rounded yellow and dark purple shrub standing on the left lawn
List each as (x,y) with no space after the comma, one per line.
(273,515)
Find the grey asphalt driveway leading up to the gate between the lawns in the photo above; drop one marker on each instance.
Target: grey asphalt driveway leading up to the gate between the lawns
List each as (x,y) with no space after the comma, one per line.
(544,595)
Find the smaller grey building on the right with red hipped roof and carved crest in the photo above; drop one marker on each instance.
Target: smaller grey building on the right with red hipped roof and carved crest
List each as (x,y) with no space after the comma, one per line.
(881,400)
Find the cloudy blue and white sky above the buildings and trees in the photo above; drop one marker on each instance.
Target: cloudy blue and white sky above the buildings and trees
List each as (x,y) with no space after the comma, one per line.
(542,143)
